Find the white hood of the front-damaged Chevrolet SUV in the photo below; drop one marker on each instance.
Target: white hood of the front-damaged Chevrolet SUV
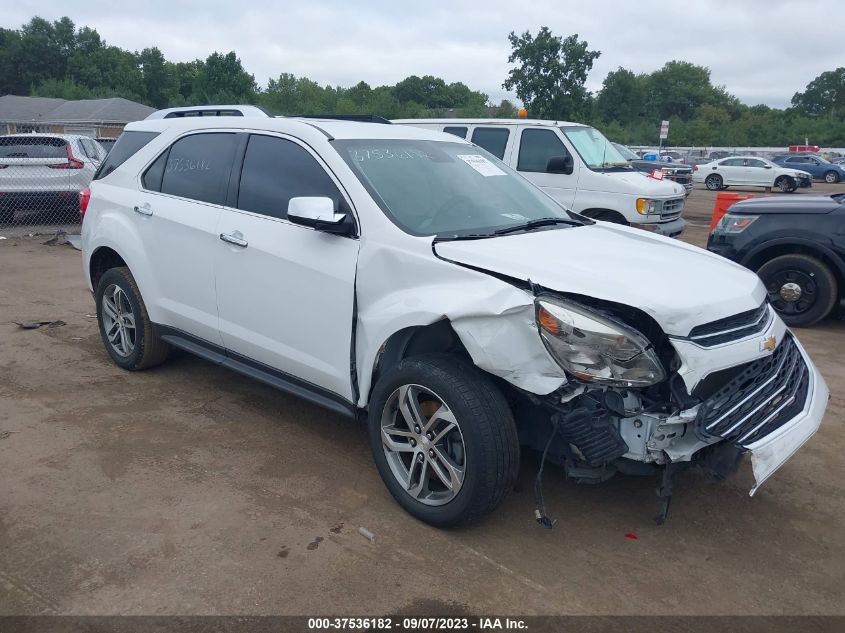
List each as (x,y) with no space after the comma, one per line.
(680,286)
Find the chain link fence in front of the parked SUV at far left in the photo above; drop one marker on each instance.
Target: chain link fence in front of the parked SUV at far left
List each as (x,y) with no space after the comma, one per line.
(42,170)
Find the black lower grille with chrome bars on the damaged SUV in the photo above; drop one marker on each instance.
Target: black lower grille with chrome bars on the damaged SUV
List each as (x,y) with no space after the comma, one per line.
(765,396)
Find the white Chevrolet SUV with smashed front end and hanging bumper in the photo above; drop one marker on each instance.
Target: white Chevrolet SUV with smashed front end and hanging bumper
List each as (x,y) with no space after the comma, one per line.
(409,277)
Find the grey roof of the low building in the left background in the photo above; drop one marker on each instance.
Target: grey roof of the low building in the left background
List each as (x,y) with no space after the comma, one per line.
(46,110)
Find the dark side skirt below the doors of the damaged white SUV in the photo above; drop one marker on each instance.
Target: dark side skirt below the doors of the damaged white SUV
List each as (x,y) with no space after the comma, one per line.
(263,373)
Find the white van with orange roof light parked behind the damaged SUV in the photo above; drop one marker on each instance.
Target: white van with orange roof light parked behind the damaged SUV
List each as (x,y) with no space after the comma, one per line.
(577,166)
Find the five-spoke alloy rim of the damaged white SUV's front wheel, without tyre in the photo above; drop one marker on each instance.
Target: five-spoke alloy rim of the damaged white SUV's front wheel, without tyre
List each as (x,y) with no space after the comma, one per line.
(423,445)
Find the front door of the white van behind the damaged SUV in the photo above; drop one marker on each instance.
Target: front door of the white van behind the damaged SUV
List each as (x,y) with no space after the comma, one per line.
(535,146)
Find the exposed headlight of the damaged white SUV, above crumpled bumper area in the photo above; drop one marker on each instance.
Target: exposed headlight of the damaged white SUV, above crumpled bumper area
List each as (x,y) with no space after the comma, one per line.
(594,348)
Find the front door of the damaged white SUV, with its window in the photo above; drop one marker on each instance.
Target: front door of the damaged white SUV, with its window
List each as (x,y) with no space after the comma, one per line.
(285,292)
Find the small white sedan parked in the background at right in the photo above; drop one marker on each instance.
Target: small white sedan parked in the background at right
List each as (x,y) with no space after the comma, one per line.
(749,171)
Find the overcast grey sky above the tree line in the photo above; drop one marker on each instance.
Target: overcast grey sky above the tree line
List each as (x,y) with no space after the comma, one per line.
(762,51)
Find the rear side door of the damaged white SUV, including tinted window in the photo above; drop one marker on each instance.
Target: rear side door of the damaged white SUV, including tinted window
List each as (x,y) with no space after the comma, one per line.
(176,214)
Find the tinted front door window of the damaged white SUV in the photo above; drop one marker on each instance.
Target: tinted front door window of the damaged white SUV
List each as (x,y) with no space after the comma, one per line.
(276,170)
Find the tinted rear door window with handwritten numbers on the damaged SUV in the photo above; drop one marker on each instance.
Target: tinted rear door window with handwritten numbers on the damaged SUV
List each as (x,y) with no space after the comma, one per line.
(198,167)
